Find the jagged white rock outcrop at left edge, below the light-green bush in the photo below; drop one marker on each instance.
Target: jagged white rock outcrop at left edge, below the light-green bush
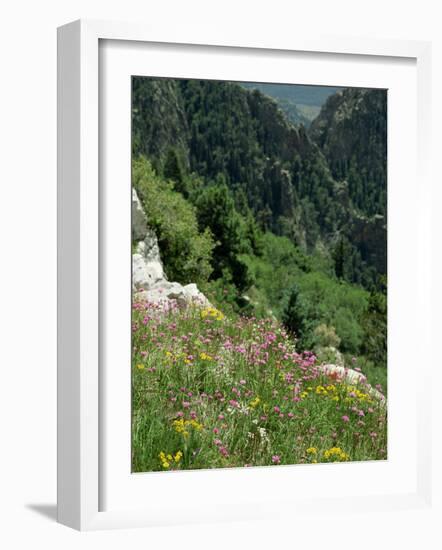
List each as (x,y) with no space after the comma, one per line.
(149,282)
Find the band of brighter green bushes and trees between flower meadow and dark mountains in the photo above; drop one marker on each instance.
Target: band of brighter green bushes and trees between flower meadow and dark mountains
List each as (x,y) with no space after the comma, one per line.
(245,271)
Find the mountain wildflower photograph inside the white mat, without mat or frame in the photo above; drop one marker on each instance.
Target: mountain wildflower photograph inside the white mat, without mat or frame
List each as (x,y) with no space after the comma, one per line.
(259,274)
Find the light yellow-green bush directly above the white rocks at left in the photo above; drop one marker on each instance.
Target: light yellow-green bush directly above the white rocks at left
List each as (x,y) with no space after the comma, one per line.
(186,252)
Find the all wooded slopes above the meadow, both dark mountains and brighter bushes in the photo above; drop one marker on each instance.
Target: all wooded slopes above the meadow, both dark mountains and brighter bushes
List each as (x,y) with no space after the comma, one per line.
(264,211)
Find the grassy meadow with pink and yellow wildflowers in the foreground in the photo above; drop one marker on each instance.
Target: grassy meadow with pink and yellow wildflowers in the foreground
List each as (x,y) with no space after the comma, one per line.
(210,391)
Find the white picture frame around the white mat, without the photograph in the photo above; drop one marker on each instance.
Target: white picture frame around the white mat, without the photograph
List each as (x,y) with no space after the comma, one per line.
(80,261)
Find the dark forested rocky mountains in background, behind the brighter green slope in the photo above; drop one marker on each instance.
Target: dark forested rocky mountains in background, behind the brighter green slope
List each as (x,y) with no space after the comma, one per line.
(221,129)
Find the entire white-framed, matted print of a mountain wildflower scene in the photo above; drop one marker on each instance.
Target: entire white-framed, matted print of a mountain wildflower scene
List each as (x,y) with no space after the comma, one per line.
(241,250)
